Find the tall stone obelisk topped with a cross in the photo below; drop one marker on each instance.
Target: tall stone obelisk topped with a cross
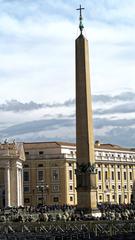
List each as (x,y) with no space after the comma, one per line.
(86,172)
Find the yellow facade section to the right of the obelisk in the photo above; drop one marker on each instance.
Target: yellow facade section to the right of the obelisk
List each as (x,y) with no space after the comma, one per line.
(115,173)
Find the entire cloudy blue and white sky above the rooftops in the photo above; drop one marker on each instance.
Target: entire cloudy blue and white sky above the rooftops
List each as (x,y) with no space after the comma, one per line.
(37,69)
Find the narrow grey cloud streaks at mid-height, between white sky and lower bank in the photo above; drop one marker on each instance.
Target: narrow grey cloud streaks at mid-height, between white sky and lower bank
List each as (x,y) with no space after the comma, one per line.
(17,106)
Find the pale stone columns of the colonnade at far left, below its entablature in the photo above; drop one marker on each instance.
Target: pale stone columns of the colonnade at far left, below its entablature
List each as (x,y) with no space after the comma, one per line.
(11,185)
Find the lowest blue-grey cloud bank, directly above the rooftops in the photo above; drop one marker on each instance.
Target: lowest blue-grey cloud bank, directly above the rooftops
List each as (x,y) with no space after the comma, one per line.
(57,129)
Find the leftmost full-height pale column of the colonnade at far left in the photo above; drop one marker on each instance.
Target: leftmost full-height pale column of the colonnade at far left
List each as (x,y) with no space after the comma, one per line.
(7,186)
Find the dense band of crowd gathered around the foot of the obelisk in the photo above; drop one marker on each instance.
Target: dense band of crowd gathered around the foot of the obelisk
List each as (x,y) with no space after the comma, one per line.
(66,213)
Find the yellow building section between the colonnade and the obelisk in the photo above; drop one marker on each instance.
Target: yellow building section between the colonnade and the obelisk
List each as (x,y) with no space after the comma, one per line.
(49,173)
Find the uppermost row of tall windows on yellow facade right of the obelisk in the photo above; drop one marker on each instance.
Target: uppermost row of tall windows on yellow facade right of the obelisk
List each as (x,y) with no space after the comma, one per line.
(113,175)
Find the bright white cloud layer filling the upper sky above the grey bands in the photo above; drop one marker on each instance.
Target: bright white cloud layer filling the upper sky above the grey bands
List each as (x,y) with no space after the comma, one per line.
(37,47)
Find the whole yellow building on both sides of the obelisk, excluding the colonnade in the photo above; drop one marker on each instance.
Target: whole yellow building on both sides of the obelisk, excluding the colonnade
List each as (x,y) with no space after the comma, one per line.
(49,173)
